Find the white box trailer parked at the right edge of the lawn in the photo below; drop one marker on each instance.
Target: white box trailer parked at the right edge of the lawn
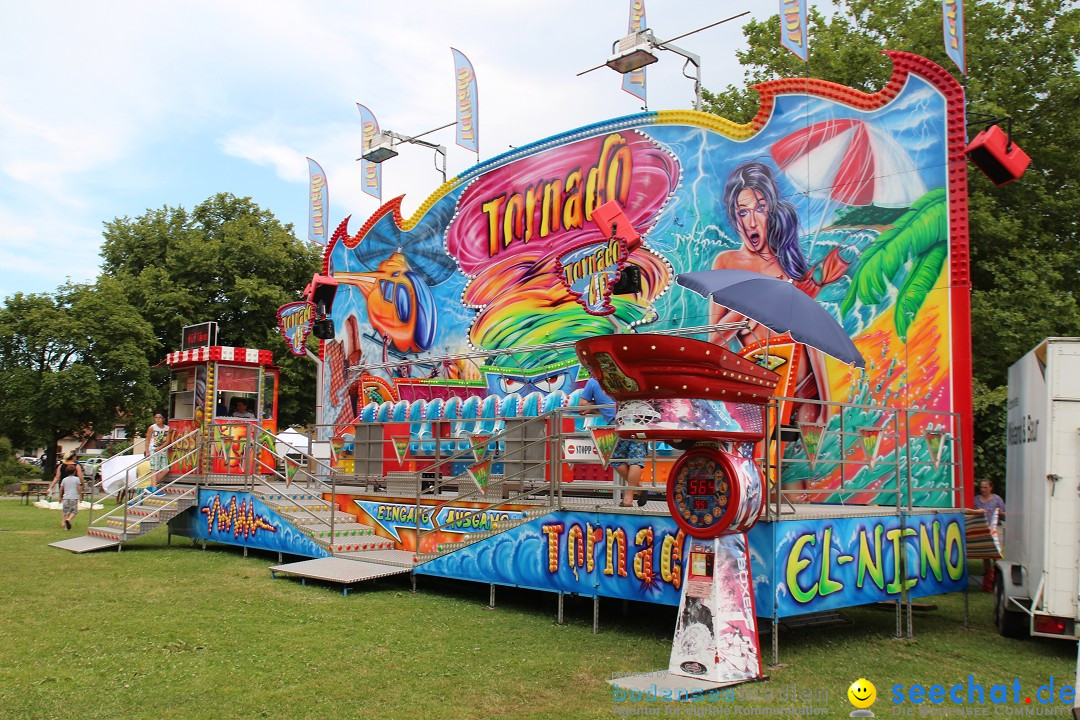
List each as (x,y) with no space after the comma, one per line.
(1038,587)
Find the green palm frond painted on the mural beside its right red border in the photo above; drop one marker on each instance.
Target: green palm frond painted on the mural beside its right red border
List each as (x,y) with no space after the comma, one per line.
(920,236)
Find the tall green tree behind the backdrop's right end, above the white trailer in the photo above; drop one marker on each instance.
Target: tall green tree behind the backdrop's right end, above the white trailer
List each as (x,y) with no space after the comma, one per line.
(1025,238)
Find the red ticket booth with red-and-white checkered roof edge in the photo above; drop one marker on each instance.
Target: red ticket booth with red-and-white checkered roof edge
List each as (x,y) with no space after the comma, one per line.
(228,393)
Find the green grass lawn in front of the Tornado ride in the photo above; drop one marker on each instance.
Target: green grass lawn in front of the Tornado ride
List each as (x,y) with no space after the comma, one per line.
(173,632)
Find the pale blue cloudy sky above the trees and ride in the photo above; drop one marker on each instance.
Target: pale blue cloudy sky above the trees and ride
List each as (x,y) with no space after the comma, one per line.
(109,110)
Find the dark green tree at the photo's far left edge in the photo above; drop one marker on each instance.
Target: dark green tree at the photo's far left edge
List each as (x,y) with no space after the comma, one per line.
(72,362)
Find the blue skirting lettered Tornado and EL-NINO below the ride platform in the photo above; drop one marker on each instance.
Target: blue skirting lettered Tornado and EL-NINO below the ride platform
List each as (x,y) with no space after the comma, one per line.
(814,565)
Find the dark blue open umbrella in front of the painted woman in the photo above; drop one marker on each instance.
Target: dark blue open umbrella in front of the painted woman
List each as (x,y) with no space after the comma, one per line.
(779,306)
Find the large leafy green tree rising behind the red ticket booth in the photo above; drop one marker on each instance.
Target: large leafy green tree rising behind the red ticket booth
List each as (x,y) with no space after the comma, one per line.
(227,261)
